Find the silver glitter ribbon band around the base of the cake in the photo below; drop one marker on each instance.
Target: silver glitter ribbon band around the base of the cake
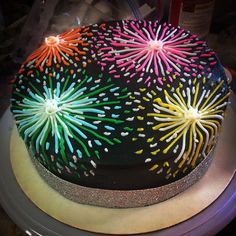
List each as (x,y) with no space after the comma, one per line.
(122,198)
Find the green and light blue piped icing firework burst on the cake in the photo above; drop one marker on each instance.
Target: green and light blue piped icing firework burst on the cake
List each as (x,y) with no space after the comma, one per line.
(68,125)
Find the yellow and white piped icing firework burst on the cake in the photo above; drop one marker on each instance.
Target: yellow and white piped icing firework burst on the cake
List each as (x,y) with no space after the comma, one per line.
(186,121)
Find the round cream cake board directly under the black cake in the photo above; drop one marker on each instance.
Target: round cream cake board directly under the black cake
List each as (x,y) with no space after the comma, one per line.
(131,220)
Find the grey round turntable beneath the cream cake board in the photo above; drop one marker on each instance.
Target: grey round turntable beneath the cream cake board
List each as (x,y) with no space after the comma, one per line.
(36,222)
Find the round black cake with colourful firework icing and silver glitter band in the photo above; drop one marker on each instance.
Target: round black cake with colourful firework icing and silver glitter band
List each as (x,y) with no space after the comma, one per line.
(121,109)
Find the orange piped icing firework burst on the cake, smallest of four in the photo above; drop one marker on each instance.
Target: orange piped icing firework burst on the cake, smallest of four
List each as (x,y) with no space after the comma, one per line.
(59,49)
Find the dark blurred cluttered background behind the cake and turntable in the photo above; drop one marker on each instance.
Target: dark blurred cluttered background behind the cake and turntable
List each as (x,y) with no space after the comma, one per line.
(25,23)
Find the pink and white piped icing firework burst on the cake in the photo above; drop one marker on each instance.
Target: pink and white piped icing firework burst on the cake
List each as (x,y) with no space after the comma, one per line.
(149,50)
